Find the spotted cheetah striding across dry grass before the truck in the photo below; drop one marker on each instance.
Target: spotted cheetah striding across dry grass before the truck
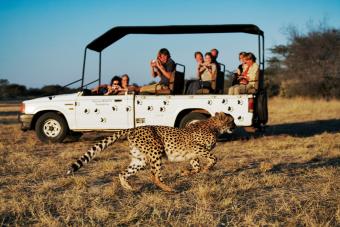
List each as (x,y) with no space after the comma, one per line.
(149,144)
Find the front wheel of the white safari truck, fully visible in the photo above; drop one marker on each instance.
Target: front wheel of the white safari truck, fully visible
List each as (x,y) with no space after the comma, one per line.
(51,127)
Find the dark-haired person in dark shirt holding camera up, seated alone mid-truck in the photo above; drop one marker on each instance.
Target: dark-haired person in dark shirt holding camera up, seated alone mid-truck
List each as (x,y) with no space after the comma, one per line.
(164,67)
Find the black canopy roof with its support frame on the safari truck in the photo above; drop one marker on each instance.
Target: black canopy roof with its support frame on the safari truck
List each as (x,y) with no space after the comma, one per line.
(116,33)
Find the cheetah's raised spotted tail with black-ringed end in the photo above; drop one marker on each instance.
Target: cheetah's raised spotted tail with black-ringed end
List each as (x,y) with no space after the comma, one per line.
(96,148)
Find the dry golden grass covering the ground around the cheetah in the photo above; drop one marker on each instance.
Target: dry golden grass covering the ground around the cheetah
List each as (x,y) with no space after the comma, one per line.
(289,176)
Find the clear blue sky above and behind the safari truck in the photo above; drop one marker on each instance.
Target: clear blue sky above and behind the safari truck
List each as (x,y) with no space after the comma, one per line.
(42,42)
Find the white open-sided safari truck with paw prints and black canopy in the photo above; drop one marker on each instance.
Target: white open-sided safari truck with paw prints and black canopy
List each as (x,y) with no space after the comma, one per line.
(56,117)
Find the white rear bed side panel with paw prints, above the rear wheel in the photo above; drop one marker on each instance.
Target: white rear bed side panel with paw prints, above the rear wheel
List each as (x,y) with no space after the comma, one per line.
(164,110)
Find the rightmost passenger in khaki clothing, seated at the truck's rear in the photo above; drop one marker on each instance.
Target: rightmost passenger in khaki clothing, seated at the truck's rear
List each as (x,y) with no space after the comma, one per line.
(248,79)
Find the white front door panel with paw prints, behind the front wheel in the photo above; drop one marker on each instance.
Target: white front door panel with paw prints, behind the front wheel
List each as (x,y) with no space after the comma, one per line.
(104,112)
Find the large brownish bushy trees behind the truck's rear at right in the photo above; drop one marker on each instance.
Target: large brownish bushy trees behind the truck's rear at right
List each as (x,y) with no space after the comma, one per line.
(307,66)
